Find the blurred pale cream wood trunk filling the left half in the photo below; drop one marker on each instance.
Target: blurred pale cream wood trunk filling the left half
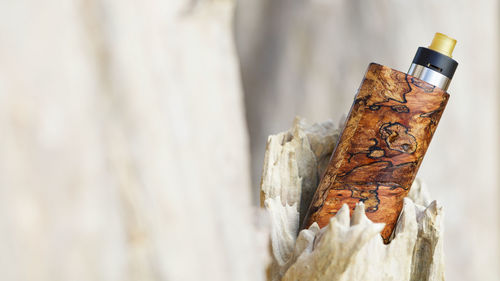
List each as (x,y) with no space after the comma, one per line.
(124,152)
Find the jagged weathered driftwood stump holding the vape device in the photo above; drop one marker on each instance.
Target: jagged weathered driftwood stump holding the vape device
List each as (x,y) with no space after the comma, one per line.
(347,248)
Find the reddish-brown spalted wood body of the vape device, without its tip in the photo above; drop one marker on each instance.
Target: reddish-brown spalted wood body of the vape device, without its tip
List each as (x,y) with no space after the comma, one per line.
(382,145)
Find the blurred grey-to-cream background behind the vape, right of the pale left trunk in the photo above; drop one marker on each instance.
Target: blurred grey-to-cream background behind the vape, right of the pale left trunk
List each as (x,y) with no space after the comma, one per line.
(308,57)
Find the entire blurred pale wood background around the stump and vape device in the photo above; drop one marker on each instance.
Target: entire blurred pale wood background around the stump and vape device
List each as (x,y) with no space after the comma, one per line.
(132,133)
